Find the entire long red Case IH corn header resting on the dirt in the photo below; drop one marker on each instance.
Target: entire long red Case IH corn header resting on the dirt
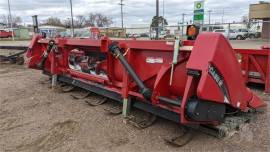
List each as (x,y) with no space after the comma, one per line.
(197,84)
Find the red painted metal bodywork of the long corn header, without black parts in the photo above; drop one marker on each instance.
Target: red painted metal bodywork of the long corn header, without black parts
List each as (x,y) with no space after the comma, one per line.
(151,60)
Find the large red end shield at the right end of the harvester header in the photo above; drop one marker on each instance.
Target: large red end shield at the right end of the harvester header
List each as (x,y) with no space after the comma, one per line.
(223,58)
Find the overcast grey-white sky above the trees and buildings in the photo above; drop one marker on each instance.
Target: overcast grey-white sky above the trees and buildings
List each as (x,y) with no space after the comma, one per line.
(135,11)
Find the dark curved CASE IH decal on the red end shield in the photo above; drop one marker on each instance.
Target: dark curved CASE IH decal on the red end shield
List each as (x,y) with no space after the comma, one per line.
(220,82)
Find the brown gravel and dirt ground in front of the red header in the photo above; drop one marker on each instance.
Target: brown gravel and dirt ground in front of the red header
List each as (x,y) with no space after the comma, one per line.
(34,118)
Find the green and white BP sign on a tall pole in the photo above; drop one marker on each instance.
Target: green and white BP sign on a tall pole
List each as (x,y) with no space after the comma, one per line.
(198,12)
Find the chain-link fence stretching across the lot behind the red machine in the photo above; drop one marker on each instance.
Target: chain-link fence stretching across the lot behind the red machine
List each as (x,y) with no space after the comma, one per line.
(232,31)
